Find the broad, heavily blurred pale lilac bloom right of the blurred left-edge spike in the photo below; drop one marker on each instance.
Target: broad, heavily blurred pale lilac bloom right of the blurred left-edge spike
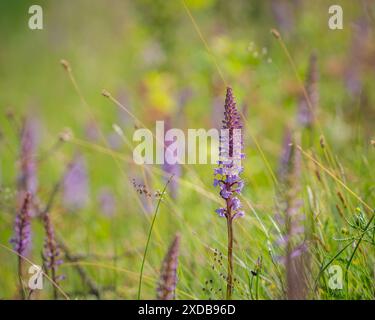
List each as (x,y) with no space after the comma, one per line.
(75,185)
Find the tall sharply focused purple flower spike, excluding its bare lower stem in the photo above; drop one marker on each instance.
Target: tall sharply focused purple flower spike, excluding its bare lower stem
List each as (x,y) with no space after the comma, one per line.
(227,175)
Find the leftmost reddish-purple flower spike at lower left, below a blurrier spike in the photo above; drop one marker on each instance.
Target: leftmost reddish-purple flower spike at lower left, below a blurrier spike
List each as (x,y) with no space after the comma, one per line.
(22,228)
